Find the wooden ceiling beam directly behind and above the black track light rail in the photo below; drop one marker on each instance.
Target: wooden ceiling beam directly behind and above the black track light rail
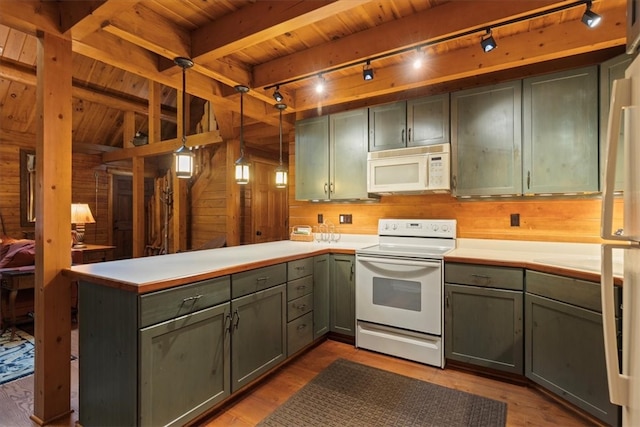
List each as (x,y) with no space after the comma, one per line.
(402,33)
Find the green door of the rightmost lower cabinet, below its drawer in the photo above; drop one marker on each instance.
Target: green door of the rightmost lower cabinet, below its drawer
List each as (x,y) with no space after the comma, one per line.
(565,354)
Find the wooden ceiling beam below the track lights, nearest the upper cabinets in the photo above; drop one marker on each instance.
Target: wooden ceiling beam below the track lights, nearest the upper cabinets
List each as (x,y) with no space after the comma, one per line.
(568,39)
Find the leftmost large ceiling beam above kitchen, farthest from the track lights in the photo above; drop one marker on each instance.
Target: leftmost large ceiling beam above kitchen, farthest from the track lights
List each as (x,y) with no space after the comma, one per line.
(261,21)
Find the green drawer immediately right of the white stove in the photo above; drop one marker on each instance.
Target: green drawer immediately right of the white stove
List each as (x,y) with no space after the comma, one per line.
(484,275)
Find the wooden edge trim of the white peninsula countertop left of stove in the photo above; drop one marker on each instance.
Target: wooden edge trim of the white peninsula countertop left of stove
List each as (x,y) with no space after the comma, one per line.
(166,284)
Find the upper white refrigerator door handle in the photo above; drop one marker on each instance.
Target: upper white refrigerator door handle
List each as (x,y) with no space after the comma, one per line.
(620,98)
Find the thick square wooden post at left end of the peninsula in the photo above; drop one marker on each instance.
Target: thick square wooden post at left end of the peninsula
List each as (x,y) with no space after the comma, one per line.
(52,386)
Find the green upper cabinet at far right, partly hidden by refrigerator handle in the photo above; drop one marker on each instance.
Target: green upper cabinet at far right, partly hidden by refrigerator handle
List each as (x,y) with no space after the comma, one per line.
(611,70)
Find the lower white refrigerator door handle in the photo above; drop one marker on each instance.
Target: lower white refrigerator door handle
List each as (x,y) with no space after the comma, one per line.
(618,382)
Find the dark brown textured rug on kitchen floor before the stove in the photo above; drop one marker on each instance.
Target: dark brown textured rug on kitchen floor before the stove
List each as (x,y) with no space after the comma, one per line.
(350,394)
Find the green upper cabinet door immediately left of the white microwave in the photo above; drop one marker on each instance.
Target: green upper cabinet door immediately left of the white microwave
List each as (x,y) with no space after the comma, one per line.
(348,151)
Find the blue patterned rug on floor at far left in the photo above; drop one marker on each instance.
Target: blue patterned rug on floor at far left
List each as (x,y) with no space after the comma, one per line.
(16,356)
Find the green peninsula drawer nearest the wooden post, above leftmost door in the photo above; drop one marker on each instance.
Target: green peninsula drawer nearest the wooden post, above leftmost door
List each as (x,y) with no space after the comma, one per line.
(169,303)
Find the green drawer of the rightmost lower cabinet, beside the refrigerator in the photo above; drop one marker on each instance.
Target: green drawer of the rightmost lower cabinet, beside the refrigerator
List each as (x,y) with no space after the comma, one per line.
(582,293)
